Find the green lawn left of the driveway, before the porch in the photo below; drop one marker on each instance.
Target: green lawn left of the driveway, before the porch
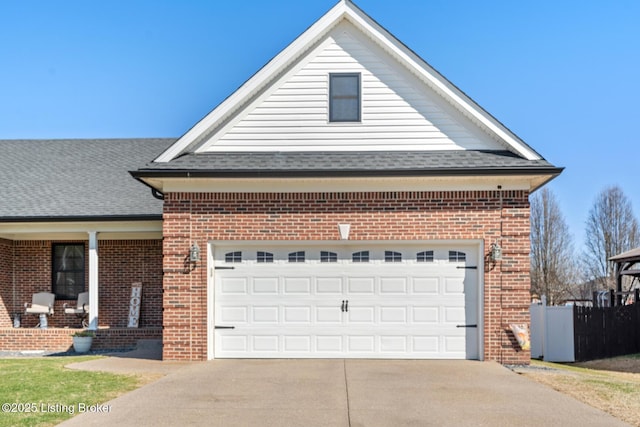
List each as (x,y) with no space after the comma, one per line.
(42,392)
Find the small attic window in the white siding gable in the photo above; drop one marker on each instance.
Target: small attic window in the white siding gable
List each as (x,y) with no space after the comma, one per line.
(344,97)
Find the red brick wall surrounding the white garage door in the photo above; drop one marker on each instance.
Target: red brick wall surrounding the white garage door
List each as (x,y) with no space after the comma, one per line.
(200,217)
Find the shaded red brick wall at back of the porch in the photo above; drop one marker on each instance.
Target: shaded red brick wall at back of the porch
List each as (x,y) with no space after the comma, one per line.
(121,262)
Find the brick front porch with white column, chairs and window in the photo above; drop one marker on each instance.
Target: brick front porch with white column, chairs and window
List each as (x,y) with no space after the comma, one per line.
(26,269)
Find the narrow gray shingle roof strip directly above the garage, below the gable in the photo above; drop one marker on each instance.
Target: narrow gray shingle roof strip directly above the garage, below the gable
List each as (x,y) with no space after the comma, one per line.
(347,163)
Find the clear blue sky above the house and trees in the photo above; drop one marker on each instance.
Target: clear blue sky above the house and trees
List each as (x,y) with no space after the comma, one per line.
(563,75)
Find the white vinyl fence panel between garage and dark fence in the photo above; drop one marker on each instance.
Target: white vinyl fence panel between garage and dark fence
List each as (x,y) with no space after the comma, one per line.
(552,332)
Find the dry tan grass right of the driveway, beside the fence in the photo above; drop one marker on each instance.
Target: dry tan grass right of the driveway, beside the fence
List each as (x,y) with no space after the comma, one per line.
(611,385)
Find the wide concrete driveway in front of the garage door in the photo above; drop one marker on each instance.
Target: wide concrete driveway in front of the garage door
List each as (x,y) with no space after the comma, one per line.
(344,393)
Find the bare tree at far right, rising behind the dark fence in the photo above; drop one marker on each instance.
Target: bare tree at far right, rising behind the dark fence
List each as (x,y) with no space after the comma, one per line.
(611,229)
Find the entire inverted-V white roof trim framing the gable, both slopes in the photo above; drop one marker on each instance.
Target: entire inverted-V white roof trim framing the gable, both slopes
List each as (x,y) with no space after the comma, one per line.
(345,9)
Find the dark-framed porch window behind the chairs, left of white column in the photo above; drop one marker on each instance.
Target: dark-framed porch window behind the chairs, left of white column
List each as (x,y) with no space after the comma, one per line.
(67,270)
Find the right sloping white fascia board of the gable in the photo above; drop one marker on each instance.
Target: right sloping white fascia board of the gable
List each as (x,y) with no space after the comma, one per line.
(438,82)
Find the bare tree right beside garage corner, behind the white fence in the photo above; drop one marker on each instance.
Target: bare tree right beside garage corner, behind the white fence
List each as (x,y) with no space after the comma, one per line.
(552,255)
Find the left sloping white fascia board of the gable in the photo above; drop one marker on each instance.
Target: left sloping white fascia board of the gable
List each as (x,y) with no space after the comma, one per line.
(258,81)
